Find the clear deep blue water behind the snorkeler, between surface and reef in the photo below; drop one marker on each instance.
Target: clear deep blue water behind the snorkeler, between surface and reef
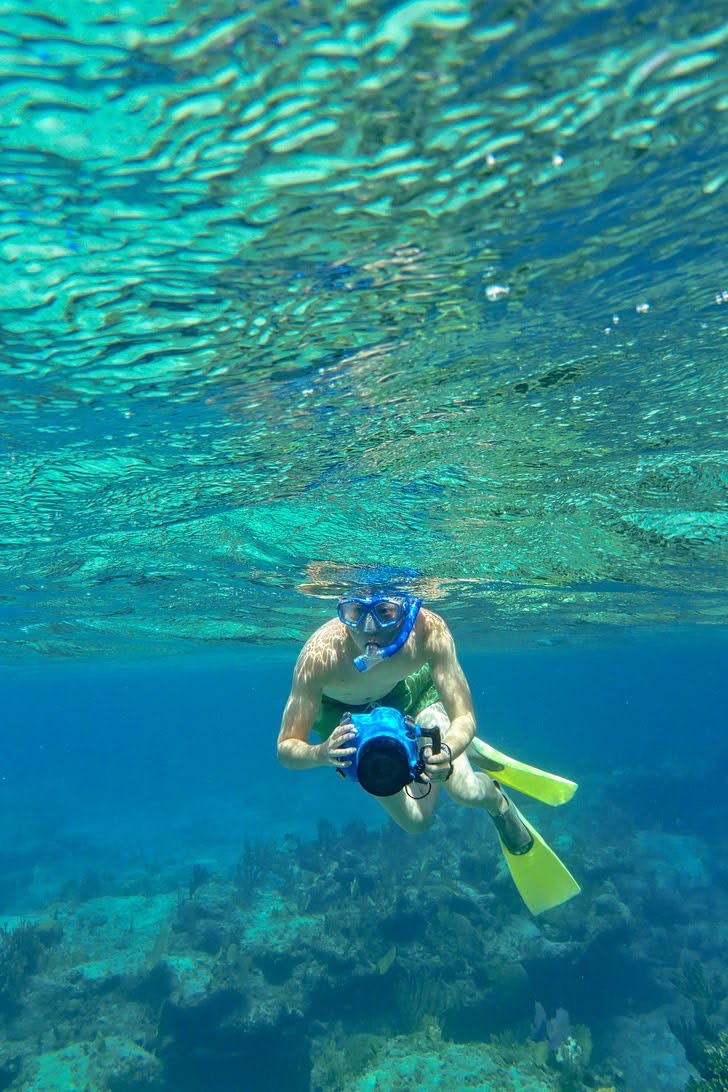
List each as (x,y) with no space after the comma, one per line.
(159,765)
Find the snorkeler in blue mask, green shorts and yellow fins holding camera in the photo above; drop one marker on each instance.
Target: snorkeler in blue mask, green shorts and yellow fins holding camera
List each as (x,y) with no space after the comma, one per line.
(386,652)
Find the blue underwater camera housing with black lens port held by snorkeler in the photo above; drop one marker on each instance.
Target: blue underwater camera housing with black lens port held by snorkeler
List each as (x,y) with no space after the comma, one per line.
(388,755)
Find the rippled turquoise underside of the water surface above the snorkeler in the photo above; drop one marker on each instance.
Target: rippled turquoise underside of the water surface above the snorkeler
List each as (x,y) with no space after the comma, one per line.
(297,289)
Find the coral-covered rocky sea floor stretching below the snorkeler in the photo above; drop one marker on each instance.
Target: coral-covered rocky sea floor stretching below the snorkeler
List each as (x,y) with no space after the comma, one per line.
(357,958)
